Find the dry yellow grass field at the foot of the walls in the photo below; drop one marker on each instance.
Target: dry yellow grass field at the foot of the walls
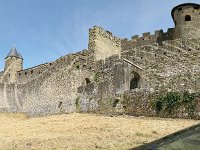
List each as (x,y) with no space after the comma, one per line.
(83,131)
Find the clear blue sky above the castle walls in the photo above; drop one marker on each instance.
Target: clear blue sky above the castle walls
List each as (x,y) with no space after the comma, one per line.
(44,30)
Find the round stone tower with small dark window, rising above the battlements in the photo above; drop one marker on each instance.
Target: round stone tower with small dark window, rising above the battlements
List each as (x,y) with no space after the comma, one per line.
(187,20)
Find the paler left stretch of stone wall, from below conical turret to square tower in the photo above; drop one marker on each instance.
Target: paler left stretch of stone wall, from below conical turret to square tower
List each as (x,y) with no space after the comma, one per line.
(48,88)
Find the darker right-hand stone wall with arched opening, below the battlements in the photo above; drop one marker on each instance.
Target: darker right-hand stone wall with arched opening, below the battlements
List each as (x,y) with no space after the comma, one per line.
(174,66)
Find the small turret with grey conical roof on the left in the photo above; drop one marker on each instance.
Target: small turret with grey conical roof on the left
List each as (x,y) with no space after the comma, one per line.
(13,63)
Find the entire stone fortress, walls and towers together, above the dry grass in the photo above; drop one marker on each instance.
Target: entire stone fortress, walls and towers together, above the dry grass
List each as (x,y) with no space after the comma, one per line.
(113,76)
